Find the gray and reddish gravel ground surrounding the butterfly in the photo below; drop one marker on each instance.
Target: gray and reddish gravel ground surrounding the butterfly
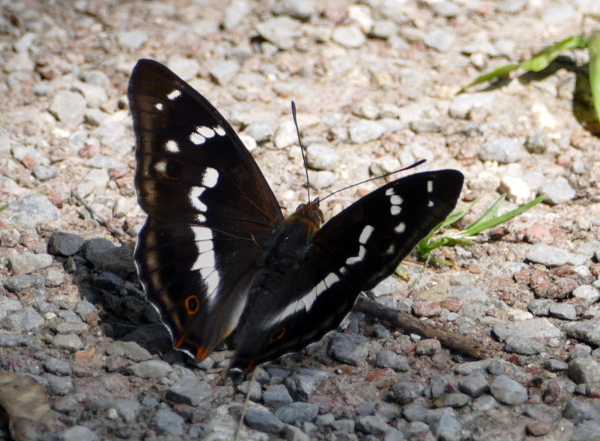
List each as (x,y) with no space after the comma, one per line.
(83,357)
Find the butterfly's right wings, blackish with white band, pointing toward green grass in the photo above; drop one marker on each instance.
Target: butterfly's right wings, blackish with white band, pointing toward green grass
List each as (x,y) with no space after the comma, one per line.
(353,252)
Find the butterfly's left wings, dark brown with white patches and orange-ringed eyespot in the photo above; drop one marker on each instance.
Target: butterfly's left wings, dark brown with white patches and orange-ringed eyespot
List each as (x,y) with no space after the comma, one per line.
(210,209)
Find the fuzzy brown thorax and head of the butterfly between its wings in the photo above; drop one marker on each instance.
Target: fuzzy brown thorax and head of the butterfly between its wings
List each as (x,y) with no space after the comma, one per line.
(294,236)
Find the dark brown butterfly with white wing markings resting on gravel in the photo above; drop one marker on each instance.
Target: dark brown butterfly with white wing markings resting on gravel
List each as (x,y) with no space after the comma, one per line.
(215,253)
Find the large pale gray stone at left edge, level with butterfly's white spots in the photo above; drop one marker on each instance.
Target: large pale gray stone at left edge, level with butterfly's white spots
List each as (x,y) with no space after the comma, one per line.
(31,210)
